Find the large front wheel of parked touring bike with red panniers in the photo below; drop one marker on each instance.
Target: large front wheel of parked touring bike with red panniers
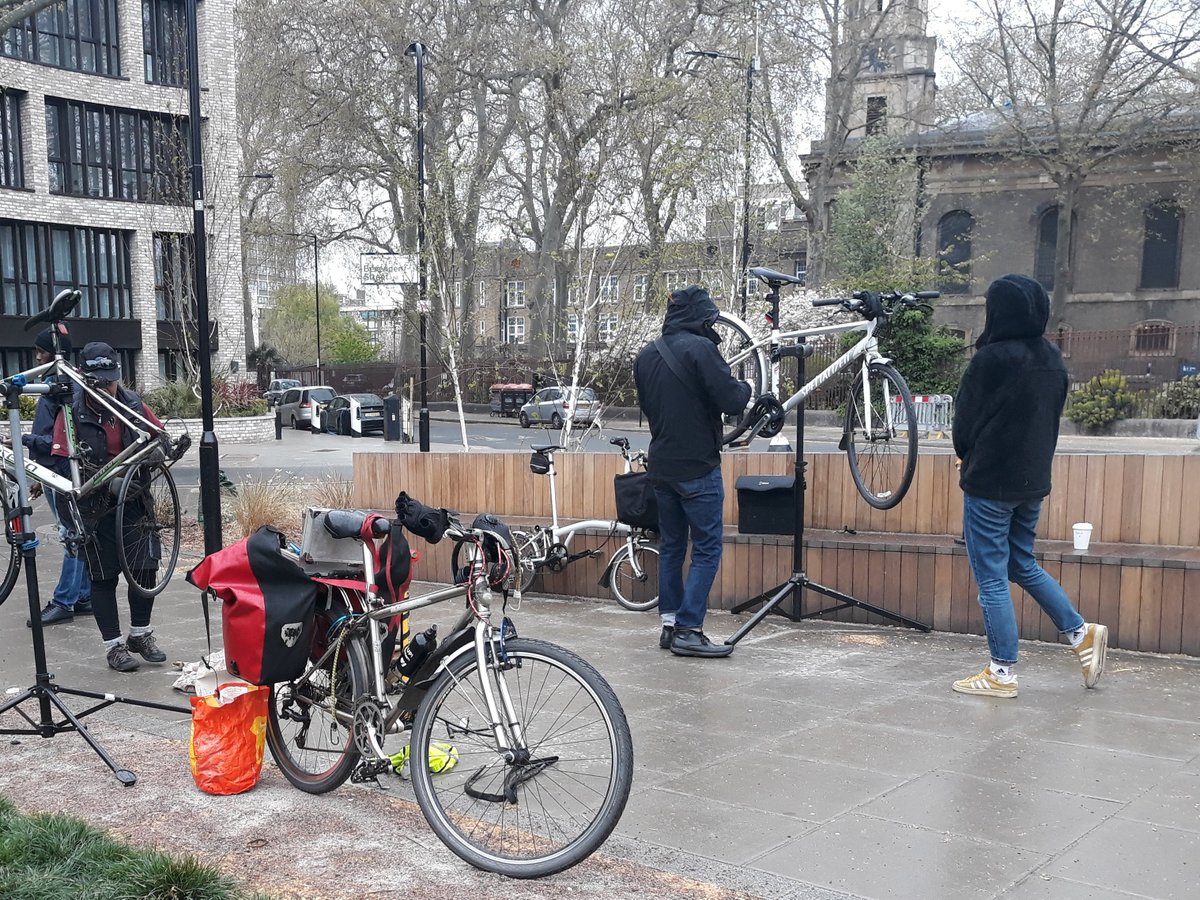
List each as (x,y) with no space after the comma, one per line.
(562,795)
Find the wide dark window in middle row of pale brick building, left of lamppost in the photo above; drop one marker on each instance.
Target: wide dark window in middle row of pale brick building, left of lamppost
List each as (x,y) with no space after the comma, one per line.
(112,153)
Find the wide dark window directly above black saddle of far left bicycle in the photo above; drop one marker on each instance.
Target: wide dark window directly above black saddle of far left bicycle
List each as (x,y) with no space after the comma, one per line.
(39,260)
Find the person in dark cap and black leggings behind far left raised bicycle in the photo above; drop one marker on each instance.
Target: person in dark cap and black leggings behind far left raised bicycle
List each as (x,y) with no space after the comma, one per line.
(105,439)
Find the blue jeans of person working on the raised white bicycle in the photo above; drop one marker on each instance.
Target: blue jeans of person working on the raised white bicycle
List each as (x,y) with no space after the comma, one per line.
(689,508)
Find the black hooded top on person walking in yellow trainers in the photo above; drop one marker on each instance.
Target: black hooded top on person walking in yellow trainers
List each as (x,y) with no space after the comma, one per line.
(1007,411)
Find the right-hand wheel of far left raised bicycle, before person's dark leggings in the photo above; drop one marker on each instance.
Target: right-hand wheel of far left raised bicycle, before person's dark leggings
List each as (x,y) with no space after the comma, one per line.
(148,527)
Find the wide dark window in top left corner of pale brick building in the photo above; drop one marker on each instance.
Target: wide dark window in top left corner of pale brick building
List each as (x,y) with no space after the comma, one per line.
(63,38)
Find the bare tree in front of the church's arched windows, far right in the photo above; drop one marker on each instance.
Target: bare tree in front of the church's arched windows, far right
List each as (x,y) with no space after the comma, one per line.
(1070,86)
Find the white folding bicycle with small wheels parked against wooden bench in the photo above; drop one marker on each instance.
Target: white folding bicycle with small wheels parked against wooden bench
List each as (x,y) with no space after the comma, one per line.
(633,571)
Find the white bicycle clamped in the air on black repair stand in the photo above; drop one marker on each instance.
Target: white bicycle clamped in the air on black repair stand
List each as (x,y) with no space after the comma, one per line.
(881,448)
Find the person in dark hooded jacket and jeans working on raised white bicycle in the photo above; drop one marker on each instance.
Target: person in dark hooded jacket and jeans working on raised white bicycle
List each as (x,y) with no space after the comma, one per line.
(685,413)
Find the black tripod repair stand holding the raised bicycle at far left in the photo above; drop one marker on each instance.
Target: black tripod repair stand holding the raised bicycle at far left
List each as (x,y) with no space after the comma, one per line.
(45,692)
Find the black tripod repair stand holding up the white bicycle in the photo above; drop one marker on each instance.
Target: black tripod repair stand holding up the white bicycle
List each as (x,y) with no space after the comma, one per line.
(799,581)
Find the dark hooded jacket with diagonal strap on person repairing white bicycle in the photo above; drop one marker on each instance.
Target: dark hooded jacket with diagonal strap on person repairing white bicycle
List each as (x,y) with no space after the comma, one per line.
(686,419)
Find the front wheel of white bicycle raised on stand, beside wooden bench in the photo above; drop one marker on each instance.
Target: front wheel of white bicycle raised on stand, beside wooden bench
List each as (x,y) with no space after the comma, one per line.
(881,463)
